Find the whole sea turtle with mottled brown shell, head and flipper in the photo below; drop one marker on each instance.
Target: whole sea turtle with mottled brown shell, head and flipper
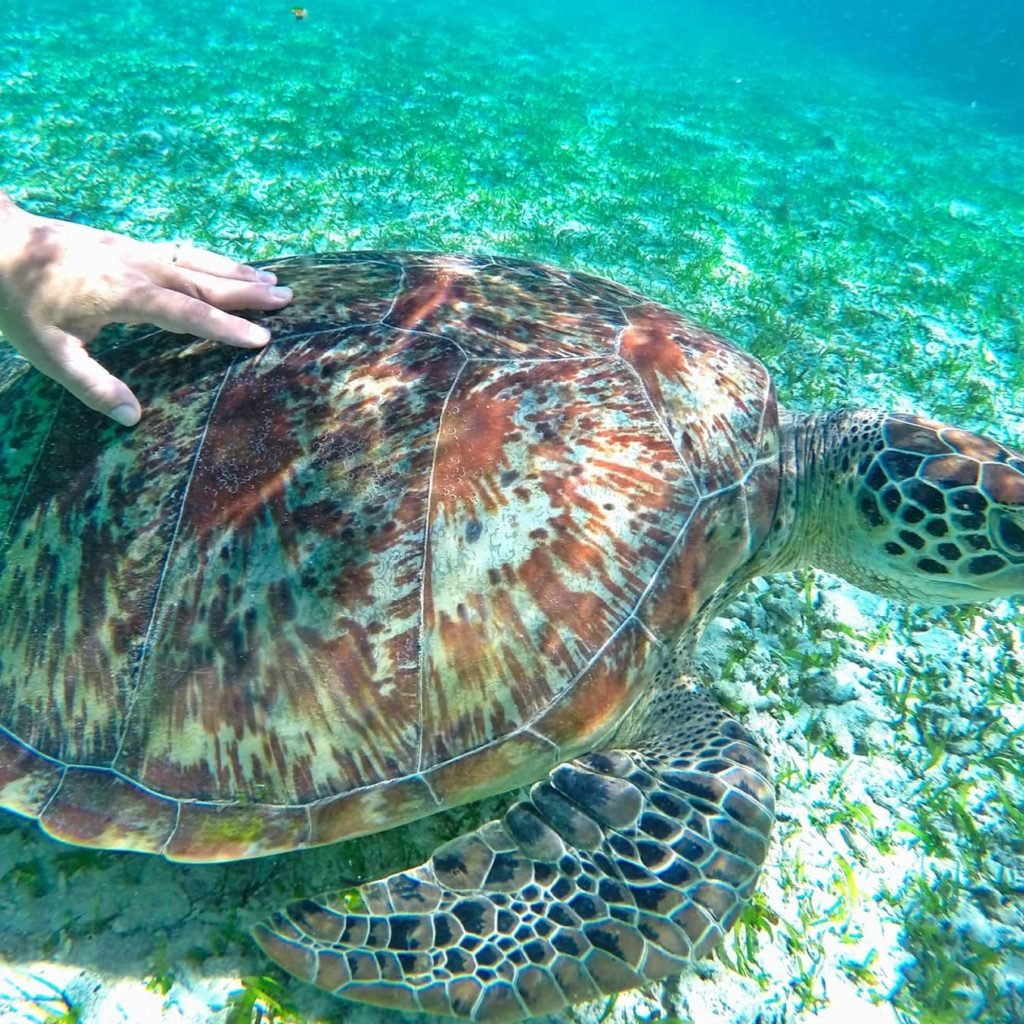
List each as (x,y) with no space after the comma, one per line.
(456,532)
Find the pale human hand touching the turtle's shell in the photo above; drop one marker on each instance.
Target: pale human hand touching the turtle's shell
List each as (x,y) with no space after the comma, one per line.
(61,283)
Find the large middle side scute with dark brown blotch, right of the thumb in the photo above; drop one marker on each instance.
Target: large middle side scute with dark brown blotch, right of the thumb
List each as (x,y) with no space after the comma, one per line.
(329,535)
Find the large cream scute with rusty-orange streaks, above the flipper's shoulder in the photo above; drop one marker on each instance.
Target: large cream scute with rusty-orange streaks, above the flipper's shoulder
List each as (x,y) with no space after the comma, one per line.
(553,602)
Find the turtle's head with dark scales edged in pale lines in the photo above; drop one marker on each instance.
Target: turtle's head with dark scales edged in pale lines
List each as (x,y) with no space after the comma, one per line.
(937,514)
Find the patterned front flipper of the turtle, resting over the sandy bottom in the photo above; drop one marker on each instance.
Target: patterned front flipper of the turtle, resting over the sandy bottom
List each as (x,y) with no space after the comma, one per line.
(622,867)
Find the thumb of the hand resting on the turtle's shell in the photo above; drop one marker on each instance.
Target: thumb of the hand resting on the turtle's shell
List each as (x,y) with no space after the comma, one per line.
(64,357)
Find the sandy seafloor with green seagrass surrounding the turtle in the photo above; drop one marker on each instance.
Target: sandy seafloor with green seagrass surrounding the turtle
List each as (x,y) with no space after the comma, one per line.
(863,237)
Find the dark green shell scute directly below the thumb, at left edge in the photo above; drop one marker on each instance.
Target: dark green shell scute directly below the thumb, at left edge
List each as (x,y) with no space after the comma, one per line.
(77,585)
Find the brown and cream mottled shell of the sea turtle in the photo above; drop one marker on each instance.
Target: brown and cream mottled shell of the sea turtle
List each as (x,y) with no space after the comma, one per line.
(435,539)
